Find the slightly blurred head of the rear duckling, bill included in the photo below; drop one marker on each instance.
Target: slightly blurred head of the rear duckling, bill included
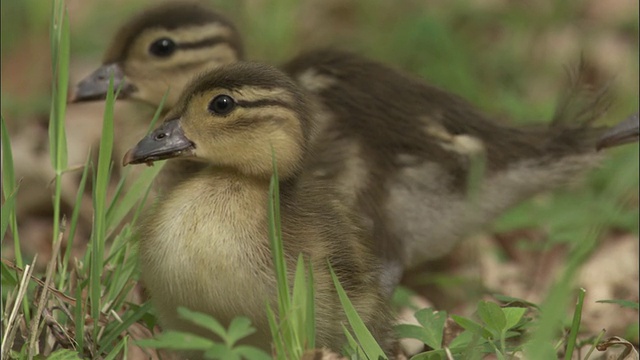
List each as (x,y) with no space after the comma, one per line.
(162,48)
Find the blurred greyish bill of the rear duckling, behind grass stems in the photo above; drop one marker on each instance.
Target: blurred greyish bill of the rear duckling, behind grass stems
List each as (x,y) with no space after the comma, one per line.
(96,85)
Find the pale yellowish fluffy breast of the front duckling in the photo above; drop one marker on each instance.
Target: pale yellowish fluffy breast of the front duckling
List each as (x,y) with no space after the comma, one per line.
(205,247)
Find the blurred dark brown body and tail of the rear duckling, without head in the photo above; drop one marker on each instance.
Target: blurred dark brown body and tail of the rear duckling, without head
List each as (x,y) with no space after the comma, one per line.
(402,151)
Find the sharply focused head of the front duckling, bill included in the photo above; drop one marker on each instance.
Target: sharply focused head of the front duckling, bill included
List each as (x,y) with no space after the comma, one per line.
(233,117)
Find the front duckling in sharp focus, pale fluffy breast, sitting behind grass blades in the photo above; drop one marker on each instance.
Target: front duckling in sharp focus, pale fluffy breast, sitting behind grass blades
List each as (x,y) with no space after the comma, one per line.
(205,244)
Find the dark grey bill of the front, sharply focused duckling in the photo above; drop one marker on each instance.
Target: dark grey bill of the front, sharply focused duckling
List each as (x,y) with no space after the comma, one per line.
(167,141)
